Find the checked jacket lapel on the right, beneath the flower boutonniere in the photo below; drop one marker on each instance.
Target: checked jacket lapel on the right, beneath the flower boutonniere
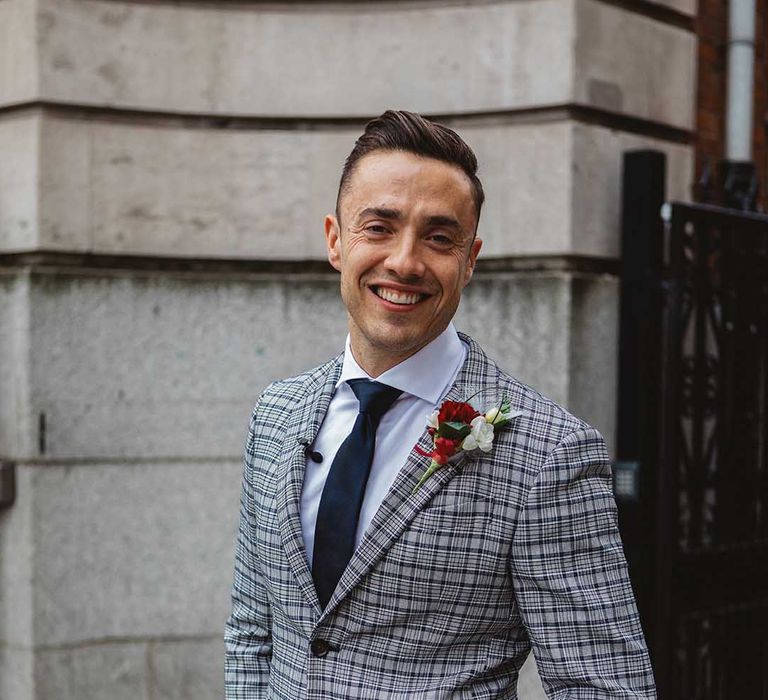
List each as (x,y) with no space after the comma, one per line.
(401,505)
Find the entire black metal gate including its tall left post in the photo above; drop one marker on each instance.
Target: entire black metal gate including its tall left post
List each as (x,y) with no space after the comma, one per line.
(692,471)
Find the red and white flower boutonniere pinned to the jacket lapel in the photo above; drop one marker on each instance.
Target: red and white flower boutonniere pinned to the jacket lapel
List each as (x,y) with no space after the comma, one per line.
(457,427)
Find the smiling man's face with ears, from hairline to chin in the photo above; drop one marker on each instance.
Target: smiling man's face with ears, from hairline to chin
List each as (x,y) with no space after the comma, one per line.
(405,250)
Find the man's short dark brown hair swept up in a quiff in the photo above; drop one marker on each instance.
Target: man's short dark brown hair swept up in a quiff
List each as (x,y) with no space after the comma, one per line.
(411,133)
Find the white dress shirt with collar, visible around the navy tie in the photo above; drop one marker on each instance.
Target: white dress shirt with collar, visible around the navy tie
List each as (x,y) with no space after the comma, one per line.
(424,379)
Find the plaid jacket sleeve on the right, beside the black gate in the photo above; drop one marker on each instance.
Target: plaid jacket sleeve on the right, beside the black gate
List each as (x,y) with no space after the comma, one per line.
(571,579)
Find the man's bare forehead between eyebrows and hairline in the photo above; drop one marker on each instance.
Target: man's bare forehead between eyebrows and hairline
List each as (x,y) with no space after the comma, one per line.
(407,181)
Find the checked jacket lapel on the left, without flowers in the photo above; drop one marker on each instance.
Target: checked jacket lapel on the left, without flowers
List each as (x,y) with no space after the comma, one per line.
(303,424)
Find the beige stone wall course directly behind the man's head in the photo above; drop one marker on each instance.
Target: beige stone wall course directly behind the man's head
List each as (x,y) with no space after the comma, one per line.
(159,189)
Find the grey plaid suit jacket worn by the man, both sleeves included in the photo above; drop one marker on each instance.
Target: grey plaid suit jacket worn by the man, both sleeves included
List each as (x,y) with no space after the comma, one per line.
(450,587)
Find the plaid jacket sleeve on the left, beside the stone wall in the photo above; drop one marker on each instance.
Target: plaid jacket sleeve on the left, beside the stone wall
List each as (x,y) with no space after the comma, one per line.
(248,632)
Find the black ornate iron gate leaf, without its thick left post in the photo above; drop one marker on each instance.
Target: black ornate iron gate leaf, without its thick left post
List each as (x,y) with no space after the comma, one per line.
(714,454)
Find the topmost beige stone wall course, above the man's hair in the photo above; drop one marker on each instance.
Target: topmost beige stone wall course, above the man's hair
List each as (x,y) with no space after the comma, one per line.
(159,56)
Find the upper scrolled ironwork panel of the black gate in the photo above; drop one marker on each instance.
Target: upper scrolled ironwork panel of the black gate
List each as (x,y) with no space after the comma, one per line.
(717,359)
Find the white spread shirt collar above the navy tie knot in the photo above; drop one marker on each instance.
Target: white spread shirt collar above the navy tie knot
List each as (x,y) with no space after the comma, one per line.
(426,374)
